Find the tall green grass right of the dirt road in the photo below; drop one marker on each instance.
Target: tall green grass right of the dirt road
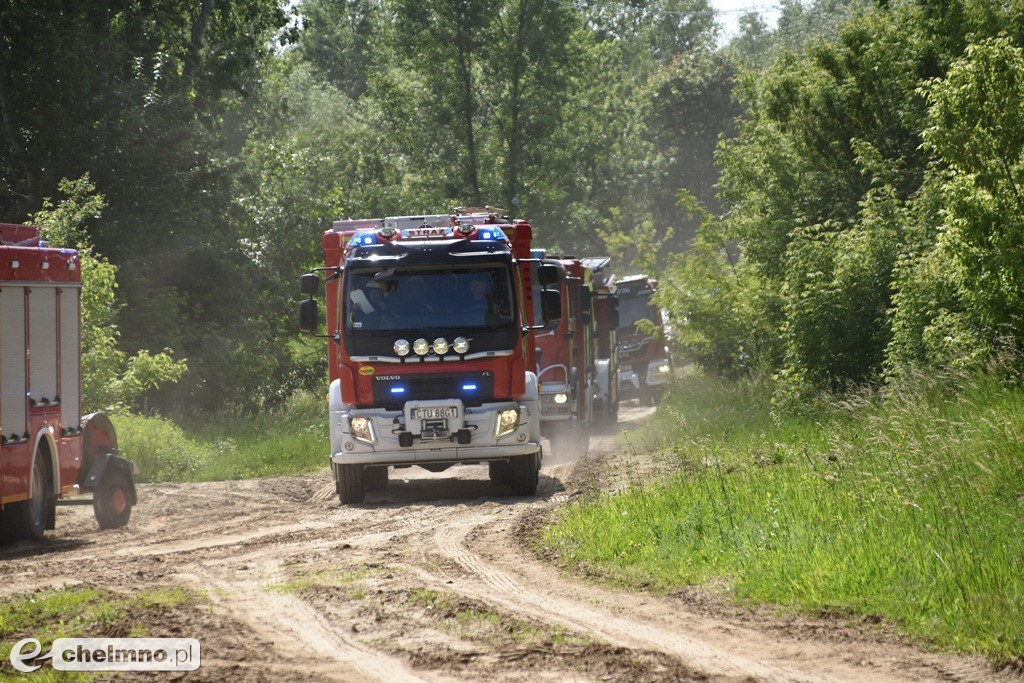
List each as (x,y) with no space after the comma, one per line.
(907,506)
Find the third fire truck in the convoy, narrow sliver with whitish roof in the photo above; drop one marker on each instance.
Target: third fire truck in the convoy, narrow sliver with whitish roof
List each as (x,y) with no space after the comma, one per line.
(606,306)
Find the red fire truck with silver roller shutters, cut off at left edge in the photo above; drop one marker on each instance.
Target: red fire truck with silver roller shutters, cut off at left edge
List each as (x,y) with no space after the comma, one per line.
(48,450)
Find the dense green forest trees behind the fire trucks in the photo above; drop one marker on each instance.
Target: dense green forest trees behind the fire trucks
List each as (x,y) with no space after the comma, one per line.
(831,202)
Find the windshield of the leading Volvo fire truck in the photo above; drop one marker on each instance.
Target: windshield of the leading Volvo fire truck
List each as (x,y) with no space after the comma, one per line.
(422,298)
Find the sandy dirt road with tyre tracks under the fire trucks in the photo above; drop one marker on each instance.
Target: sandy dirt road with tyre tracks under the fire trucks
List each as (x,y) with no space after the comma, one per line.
(433,580)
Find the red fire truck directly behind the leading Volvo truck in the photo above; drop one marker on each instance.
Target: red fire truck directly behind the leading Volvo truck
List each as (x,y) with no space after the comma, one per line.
(566,359)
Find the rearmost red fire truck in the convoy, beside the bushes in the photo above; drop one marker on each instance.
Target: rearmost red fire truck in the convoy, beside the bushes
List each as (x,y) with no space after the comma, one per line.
(645,365)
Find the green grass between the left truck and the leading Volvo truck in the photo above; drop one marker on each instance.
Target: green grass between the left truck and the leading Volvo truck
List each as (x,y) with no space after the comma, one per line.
(288,441)
